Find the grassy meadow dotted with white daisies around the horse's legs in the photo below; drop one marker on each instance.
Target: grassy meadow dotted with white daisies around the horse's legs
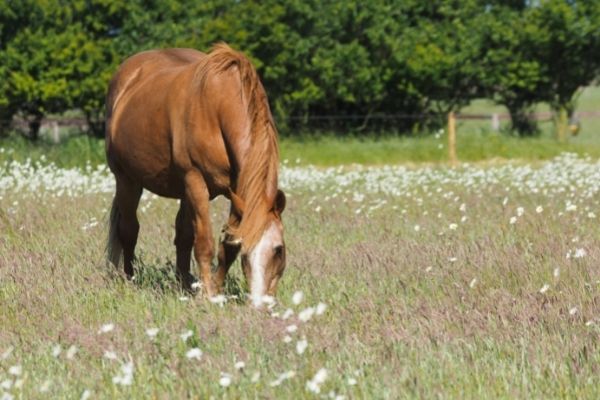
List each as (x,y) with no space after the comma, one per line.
(417,282)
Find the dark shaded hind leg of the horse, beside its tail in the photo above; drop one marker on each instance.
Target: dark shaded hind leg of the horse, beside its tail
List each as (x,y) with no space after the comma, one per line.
(127,200)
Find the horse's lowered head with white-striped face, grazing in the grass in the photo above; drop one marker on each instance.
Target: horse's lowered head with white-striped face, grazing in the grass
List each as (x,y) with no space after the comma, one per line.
(263,261)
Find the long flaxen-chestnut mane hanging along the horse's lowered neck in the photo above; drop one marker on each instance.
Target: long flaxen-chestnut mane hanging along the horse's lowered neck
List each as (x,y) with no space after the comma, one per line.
(257,180)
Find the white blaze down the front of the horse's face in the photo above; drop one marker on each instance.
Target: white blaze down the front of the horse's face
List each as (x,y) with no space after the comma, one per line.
(259,257)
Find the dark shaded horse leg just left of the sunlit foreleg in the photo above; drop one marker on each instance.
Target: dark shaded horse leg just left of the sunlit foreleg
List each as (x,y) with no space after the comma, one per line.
(184,241)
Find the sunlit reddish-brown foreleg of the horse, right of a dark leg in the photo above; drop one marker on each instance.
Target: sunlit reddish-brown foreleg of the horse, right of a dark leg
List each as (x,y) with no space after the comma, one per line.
(198,196)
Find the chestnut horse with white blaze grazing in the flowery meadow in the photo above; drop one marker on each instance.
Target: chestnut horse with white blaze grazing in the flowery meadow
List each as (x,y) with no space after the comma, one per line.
(193,126)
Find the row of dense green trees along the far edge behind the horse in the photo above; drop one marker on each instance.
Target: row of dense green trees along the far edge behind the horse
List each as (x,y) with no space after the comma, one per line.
(358,61)
